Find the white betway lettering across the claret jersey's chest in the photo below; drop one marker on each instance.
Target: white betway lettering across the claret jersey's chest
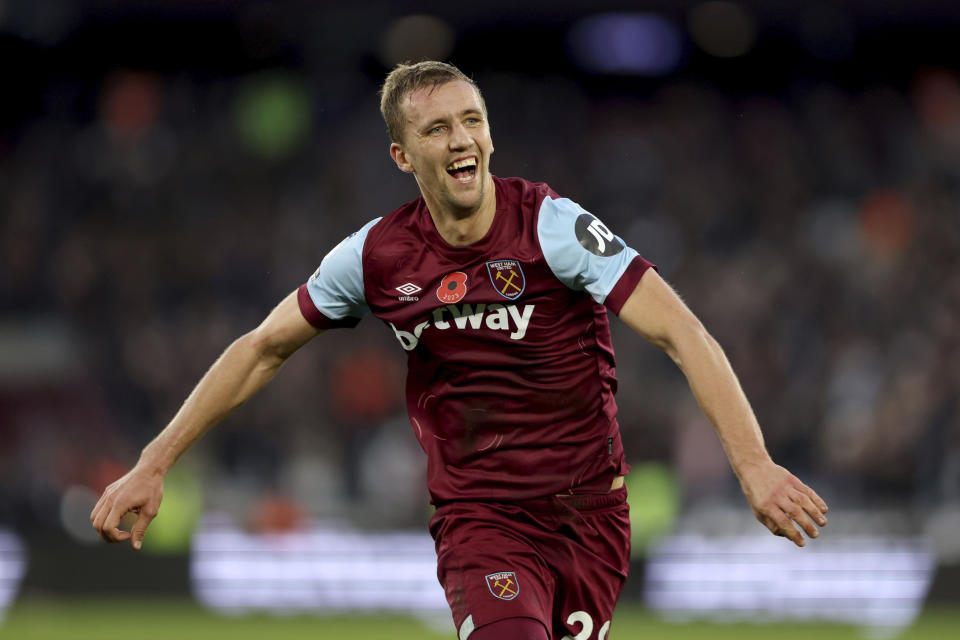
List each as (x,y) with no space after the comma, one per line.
(495,316)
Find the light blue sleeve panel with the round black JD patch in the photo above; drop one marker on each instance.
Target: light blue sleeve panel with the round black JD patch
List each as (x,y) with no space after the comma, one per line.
(579,249)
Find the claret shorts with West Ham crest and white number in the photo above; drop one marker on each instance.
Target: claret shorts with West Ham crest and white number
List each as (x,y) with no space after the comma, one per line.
(560,560)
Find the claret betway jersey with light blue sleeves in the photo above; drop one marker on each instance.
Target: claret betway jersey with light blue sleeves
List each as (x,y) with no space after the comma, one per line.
(510,383)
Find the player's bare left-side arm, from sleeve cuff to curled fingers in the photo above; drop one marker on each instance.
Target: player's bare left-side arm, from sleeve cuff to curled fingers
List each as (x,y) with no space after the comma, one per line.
(243,369)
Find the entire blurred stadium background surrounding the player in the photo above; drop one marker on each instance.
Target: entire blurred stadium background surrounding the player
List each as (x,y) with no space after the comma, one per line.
(170,169)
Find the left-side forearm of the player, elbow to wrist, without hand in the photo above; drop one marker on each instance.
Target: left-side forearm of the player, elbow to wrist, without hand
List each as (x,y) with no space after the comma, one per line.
(242,370)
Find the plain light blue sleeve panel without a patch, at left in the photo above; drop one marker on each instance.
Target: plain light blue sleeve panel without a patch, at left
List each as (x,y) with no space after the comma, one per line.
(336,287)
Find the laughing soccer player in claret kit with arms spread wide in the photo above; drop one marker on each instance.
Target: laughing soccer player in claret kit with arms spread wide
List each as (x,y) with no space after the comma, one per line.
(498,291)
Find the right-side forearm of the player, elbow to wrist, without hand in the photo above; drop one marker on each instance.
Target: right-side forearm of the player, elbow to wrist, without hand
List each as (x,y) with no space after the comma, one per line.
(718,392)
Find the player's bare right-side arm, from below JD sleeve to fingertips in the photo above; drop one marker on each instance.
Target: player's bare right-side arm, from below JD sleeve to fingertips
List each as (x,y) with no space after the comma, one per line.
(777,497)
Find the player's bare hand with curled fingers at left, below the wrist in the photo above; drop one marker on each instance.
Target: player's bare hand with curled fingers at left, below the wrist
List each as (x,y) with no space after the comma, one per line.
(139,491)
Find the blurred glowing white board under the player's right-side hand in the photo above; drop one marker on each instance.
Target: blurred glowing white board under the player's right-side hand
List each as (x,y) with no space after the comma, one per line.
(870,581)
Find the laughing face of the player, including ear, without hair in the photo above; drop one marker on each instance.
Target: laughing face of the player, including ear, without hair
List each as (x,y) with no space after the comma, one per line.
(446,144)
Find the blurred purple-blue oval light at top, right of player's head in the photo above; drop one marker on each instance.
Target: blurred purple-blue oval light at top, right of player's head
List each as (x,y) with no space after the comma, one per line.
(625,44)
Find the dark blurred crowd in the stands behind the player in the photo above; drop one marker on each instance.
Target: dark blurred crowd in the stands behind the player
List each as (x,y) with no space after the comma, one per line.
(150,220)
